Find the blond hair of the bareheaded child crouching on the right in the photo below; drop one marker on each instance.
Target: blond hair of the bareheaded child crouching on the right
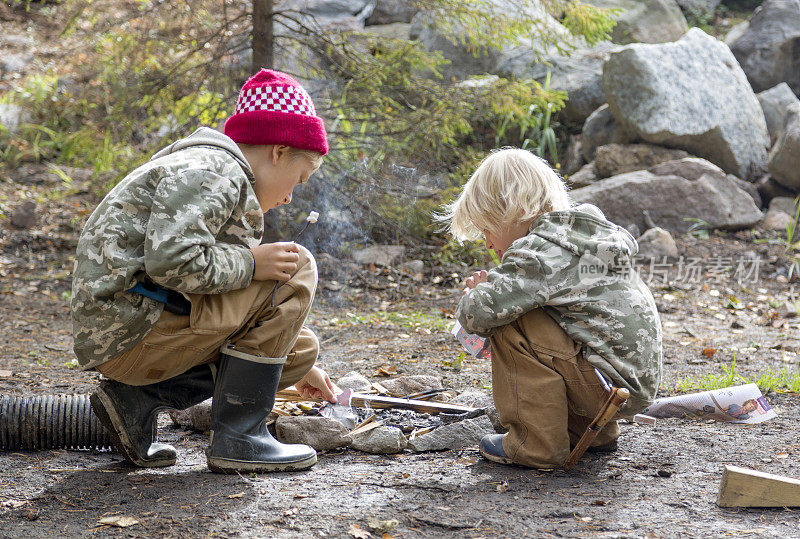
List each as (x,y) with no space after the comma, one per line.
(510,186)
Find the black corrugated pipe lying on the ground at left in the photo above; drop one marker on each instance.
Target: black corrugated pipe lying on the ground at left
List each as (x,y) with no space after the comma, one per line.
(50,422)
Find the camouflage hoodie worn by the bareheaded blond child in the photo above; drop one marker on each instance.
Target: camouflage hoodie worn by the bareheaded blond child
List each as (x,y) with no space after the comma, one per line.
(578,266)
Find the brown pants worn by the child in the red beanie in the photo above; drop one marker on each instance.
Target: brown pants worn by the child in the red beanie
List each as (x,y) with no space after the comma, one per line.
(242,317)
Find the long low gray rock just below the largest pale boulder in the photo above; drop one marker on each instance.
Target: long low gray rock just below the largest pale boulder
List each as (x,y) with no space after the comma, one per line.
(670,200)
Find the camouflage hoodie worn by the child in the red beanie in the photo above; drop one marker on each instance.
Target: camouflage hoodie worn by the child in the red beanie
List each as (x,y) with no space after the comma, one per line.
(187,219)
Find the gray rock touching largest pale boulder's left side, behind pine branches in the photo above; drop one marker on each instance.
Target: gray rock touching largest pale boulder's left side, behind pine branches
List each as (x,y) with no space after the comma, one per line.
(580,75)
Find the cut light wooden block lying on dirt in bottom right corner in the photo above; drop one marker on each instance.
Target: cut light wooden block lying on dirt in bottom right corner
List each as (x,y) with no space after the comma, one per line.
(741,487)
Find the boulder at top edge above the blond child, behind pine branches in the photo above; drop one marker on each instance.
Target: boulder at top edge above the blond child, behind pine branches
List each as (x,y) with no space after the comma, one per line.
(467,59)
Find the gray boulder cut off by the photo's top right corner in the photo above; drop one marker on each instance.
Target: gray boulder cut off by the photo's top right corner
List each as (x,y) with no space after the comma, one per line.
(769,51)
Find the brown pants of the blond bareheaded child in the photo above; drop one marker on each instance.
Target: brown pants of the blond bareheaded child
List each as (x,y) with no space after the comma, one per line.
(546,393)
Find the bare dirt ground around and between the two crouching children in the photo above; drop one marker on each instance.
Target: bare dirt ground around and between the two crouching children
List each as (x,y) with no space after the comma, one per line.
(662,482)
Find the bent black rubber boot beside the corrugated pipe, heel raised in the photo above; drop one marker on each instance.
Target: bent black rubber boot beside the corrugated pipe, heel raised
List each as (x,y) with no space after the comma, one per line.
(129,413)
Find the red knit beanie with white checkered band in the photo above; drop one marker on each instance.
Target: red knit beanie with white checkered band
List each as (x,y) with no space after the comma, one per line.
(274,109)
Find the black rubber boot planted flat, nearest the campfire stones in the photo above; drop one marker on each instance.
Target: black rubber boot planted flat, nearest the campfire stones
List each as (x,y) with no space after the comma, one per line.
(243,398)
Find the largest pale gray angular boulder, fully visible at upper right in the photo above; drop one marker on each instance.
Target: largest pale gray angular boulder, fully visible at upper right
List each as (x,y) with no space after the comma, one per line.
(690,94)
